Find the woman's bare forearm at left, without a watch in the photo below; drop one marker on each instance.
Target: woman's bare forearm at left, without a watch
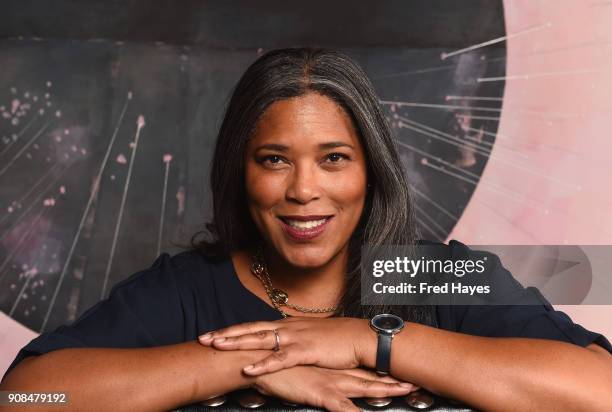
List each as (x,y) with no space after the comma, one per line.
(159,378)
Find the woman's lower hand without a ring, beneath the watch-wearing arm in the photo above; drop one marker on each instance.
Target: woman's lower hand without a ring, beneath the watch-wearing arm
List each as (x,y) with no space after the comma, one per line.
(328,388)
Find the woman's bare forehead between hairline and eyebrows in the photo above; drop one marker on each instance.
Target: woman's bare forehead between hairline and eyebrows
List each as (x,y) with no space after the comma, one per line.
(309,118)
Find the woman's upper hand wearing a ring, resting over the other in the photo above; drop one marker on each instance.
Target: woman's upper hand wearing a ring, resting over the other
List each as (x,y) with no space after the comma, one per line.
(335,343)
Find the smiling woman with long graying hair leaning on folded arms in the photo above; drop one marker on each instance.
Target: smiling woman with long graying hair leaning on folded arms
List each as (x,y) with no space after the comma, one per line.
(305,172)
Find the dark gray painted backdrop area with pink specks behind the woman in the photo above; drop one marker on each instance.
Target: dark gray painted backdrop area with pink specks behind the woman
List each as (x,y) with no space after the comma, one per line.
(62,96)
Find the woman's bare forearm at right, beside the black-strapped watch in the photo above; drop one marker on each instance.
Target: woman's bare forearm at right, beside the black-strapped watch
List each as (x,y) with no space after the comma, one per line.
(500,373)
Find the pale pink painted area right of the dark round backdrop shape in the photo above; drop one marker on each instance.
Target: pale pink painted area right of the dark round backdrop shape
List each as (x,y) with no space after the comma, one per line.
(562,122)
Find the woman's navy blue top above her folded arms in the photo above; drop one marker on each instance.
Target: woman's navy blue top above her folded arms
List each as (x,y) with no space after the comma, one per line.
(181,297)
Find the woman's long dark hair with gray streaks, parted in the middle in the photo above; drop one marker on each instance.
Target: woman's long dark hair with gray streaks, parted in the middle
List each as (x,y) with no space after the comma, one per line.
(388,216)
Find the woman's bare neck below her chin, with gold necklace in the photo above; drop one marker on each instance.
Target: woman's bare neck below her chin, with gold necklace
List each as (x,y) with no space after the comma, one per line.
(317,287)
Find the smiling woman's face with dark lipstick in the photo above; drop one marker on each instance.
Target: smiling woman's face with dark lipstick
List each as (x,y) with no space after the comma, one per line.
(306,179)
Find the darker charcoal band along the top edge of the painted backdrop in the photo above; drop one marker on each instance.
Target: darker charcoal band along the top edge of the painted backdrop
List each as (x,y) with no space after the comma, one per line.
(261,23)
